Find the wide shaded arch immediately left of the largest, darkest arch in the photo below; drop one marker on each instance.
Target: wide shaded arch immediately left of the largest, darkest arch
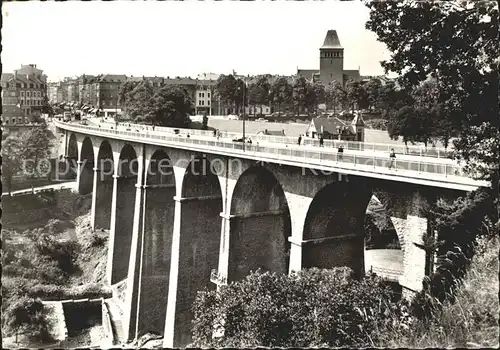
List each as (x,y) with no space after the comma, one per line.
(260,225)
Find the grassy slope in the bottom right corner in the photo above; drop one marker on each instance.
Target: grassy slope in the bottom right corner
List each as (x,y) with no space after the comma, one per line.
(472,321)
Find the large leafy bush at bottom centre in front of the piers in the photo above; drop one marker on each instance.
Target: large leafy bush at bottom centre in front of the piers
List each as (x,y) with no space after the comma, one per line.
(310,308)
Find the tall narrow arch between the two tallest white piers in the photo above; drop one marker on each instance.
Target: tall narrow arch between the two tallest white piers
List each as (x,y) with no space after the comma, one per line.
(159,214)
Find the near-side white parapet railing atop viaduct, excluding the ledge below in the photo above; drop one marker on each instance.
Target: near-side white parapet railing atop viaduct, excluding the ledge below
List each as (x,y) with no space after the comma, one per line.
(285,152)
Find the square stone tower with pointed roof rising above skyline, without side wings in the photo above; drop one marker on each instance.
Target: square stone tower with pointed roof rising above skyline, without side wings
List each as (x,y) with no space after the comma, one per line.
(331,59)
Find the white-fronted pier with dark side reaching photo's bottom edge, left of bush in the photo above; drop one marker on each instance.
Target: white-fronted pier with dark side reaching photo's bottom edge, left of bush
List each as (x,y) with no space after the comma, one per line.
(195,252)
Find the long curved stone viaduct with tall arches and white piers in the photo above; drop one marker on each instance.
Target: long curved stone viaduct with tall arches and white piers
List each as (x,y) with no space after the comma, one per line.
(185,211)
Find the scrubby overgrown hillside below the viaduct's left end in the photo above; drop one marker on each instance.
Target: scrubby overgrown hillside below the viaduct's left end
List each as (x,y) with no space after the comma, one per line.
(57,261)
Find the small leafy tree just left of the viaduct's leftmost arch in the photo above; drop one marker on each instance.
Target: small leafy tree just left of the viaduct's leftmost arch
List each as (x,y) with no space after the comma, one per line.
(36,151)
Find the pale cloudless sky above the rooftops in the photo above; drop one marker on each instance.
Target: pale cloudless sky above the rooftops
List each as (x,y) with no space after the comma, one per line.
(184,38)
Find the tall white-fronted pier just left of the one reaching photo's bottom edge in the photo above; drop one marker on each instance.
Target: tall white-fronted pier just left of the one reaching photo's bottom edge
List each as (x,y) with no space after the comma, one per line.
(148,276)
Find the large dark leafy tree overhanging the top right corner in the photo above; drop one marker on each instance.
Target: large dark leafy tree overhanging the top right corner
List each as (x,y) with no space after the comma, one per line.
(457,43)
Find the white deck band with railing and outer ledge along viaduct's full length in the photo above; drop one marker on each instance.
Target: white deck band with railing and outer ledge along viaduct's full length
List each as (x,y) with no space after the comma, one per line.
(321,157)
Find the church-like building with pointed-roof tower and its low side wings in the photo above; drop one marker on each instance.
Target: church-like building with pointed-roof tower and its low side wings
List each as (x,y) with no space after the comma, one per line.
(331,63)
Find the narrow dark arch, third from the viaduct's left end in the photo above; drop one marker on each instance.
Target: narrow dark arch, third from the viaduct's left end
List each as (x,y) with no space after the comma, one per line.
(104,170)
